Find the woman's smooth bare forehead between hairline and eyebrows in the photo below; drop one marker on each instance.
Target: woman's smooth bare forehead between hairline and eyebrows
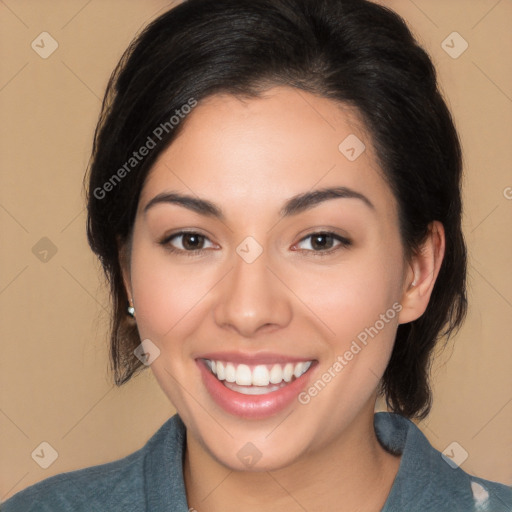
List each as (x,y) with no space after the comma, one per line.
(260,151)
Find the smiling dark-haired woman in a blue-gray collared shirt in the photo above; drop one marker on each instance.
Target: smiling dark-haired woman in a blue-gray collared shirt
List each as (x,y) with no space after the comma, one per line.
(274,194)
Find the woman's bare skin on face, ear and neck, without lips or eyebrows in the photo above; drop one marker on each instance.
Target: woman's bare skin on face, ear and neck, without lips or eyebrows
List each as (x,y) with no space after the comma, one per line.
(249,156)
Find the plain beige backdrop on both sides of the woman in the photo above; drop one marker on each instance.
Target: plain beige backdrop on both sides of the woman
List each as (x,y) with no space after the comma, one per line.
(54,381)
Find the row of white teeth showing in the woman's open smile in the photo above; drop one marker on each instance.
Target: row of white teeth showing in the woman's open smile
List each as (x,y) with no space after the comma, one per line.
(256,379)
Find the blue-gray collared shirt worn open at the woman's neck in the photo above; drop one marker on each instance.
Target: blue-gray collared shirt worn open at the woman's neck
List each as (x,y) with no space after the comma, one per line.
(151,479)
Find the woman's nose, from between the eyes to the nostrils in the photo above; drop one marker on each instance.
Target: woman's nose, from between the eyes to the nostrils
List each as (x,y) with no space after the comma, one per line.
(251,299)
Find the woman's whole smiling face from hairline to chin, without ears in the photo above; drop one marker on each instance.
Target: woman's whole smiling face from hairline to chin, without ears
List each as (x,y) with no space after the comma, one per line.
(272,278)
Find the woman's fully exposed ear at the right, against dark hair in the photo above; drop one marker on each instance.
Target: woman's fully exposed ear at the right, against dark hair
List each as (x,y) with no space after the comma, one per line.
(422,273)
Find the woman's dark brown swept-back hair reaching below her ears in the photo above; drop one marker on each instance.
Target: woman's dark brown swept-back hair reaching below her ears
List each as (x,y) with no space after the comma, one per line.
(351,51)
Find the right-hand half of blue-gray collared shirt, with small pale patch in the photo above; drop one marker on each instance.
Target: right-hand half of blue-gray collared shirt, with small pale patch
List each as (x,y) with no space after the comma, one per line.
(428,481)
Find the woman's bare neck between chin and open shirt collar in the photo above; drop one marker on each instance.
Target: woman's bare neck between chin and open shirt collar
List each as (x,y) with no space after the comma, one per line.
(352,473)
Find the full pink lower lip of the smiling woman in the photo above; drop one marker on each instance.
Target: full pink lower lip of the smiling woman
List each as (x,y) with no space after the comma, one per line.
(252,406)
